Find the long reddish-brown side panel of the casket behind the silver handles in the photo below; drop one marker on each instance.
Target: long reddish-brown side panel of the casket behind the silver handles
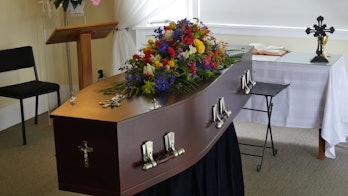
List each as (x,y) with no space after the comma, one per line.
(190,120)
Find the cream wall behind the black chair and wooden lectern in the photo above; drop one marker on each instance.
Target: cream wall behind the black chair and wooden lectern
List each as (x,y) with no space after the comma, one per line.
(24,23)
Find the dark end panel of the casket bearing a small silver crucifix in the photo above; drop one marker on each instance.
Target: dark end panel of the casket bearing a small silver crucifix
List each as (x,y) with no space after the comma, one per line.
(102,175)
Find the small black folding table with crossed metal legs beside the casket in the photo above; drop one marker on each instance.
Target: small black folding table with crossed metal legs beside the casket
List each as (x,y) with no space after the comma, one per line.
(268,90)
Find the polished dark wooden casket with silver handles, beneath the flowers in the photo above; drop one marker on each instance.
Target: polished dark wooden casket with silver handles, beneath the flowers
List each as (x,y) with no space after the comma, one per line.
(127,149)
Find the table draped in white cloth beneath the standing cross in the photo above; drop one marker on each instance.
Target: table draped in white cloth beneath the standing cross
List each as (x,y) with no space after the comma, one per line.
(316,98)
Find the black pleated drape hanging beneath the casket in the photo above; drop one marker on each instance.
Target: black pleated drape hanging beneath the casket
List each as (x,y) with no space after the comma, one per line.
(218,173)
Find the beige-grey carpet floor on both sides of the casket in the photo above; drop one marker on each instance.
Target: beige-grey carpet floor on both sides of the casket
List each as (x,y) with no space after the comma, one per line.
(295,170)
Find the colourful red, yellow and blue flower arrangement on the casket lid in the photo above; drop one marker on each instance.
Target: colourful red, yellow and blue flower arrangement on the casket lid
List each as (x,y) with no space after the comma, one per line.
(182,55)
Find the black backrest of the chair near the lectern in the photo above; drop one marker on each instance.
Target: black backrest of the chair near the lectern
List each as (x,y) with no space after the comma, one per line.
(17,58)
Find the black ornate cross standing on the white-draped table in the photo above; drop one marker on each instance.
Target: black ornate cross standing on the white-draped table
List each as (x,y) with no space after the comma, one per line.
(320,32)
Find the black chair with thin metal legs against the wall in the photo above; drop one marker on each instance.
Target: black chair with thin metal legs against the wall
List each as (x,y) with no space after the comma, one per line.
(23,58)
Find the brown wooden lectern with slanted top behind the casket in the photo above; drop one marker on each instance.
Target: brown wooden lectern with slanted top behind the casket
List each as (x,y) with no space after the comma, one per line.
(82,34)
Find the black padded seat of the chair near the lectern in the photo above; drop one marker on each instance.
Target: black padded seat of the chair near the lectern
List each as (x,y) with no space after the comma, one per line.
(28,89)
